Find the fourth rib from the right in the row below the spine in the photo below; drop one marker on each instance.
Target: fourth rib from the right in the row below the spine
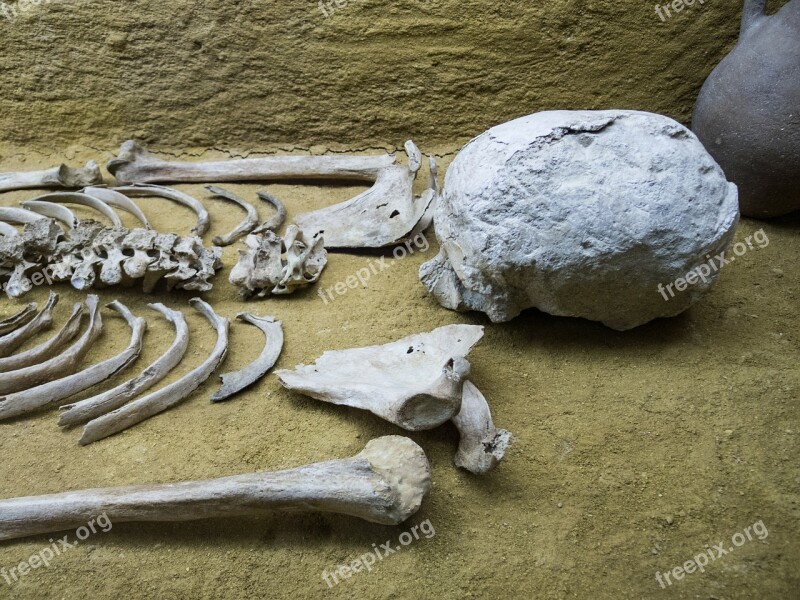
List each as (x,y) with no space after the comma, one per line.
(32,399)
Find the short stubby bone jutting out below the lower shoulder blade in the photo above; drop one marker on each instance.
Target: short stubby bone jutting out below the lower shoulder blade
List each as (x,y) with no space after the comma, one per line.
(482,446)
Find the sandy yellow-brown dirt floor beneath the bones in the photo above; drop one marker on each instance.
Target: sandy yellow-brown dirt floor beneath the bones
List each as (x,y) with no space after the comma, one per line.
(633,452)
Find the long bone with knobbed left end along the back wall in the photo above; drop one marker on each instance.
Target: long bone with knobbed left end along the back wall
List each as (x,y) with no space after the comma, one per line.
(136,165)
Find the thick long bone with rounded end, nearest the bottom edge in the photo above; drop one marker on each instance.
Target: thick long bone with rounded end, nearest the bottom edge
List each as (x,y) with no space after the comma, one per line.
(385,483)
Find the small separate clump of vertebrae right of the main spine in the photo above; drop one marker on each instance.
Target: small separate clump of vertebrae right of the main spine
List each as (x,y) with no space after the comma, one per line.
(274,265)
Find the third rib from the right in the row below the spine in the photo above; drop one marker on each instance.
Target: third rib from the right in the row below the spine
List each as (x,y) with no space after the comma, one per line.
(96,406)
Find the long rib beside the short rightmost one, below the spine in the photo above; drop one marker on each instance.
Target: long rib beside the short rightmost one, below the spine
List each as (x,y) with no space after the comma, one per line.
(166,397)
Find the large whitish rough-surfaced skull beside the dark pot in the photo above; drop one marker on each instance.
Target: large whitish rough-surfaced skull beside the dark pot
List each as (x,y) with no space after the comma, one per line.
(581,213)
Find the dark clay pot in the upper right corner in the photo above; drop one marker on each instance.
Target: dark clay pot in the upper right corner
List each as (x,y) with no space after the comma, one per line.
(748,112)
